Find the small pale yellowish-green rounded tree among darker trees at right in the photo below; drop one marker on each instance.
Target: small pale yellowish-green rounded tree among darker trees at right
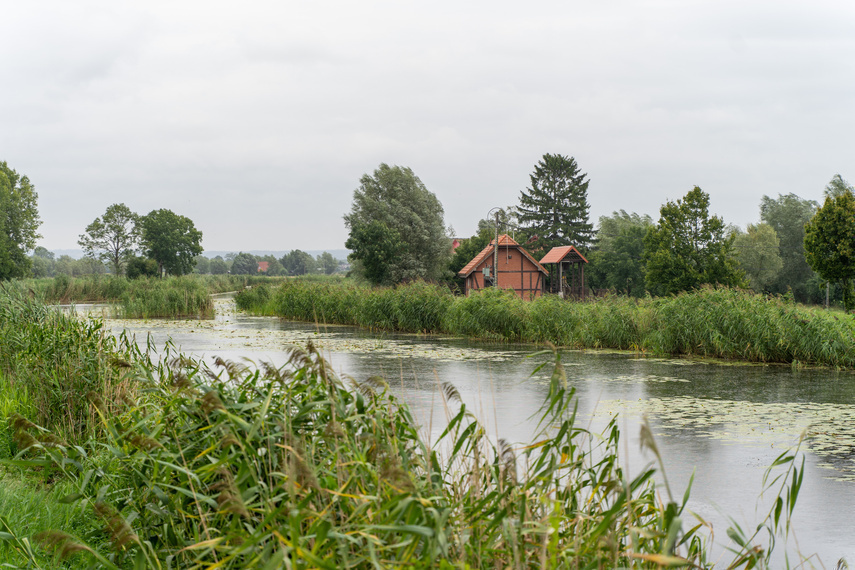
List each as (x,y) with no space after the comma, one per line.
(757,252)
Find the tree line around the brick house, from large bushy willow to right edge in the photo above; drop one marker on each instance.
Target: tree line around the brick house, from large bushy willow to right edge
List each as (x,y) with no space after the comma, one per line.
(797,247)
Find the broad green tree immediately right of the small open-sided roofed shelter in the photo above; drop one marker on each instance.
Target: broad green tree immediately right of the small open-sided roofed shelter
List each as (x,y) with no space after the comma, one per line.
(617,259)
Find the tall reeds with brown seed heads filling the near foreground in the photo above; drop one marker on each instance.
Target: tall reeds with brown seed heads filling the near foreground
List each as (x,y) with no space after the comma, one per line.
(233,467)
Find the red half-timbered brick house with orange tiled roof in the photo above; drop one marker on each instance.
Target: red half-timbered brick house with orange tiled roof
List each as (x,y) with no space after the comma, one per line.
(516,269)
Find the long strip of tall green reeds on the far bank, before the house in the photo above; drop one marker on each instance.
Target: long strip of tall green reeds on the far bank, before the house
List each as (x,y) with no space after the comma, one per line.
(719,323)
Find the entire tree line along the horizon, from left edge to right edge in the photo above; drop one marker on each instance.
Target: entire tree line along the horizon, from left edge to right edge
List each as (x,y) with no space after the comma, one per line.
(397,233)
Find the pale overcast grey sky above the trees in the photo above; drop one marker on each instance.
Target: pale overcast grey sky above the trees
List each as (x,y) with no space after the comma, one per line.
(257,119)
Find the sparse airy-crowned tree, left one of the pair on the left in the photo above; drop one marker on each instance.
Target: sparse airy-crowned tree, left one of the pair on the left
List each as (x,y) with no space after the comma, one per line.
(112,238)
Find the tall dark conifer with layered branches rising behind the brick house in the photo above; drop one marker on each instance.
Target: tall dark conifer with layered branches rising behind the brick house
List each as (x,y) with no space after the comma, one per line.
(556,207)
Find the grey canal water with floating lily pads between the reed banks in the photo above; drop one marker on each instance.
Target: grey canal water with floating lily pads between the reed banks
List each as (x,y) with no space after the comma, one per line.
(724,424)
